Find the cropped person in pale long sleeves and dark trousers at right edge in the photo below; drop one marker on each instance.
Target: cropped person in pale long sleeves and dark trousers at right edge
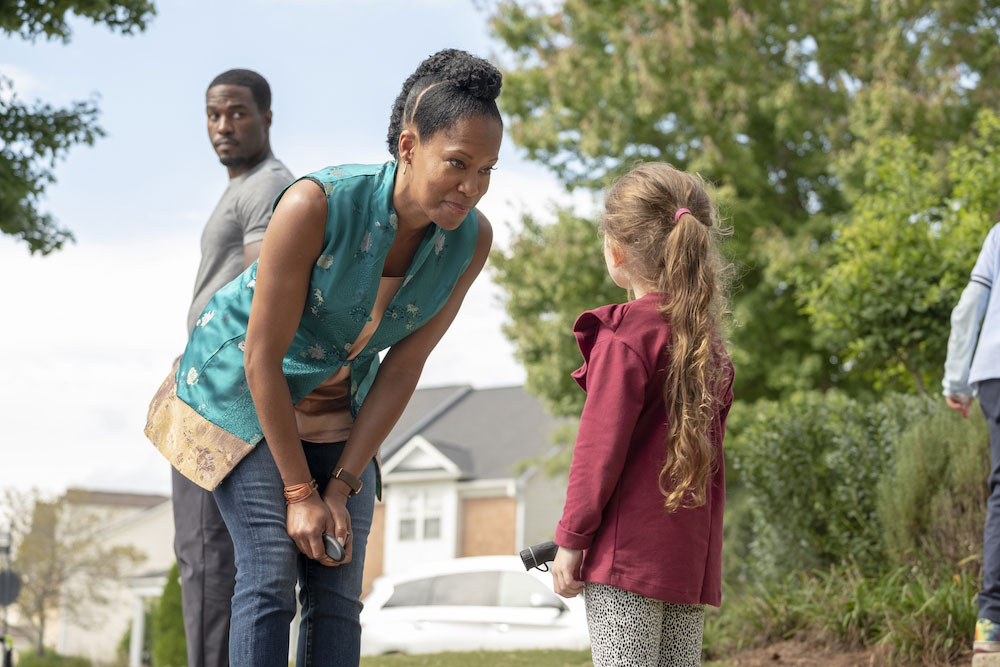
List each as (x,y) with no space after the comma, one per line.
(964,376)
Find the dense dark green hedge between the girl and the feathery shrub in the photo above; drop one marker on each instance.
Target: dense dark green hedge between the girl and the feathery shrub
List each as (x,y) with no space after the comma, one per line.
(811,466)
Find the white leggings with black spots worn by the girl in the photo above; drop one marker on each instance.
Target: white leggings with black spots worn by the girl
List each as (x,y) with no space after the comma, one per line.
(629,630)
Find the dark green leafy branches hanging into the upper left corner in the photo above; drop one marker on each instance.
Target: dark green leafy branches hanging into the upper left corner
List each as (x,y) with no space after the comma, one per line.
(33,137)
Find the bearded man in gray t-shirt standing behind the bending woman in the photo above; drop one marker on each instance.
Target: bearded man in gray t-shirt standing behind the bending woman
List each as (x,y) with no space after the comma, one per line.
(238,106)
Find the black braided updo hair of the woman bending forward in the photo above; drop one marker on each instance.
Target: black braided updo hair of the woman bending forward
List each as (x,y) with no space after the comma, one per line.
(449,85)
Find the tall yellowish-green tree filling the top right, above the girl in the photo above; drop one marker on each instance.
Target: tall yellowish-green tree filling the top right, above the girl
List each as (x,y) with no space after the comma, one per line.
(759,98)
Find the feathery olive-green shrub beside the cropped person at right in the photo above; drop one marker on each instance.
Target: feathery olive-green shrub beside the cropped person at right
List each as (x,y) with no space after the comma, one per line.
(932,504)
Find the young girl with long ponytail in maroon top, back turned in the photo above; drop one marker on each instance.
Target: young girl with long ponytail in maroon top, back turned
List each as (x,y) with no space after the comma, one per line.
(641,532)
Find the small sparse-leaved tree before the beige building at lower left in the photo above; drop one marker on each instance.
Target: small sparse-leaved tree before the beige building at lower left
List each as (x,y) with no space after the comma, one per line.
(62,564)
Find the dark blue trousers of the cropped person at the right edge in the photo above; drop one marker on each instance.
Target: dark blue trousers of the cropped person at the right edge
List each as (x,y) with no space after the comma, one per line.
(989,596)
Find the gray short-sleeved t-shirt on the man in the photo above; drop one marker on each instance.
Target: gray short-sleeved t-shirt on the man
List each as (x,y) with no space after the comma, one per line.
(239,219)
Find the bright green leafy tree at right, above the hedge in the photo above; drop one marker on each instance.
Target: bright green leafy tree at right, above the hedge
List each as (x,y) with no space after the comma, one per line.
(900,259)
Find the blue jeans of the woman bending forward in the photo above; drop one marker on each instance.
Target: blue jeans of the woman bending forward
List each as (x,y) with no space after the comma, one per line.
(268,564)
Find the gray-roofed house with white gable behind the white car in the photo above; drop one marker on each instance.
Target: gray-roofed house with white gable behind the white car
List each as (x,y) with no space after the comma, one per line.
(460,477)
